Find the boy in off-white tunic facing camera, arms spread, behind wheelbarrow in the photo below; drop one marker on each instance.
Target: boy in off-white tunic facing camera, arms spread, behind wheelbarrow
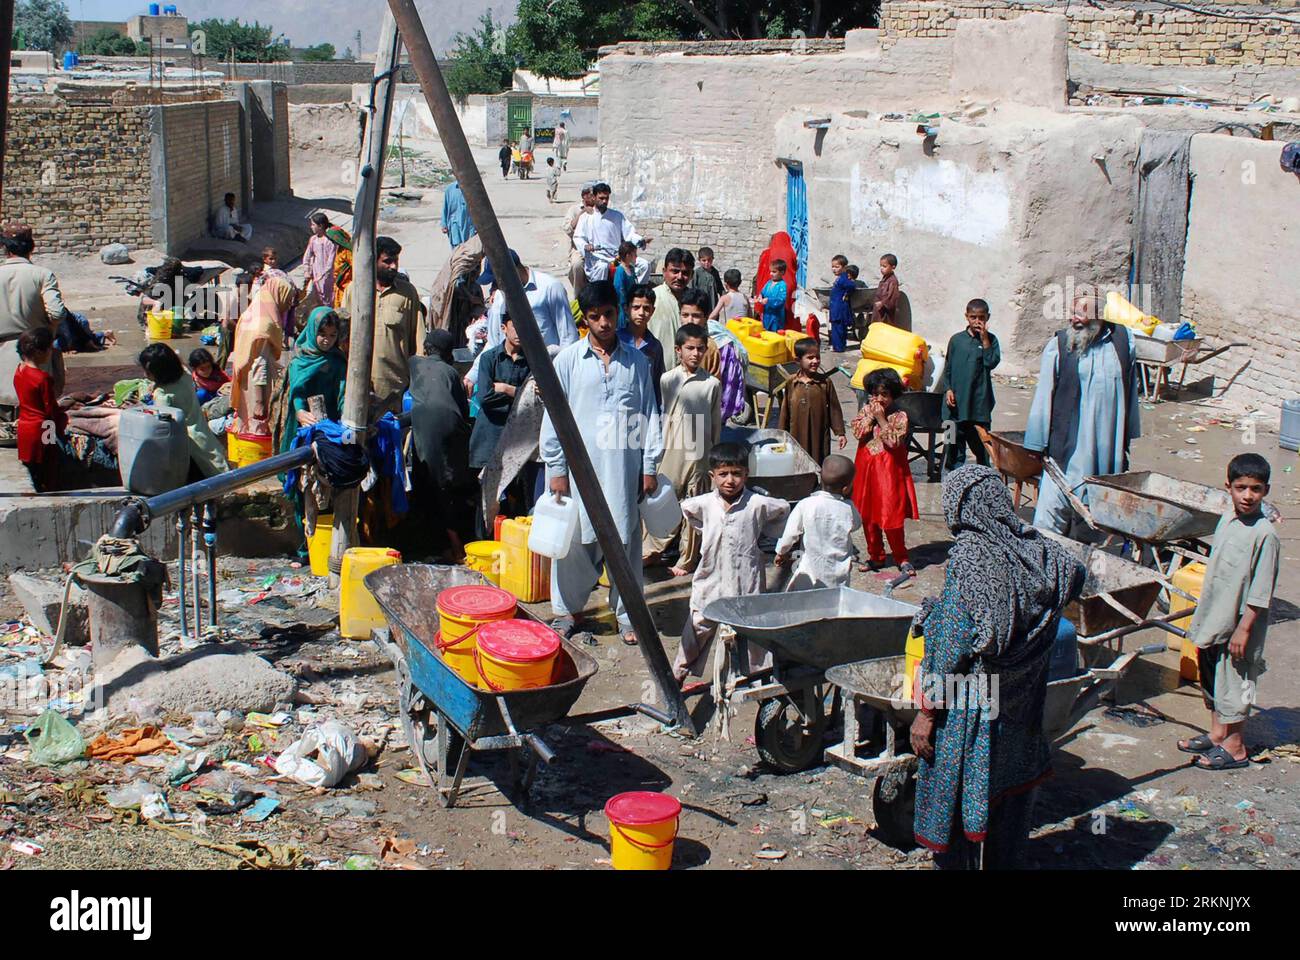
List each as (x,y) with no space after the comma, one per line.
(731,521)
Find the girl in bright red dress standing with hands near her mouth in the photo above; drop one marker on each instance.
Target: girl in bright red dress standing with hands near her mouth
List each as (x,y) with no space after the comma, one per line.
(882,486)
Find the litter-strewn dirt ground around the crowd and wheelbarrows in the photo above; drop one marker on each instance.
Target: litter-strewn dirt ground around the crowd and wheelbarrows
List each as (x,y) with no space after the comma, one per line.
(1123,797)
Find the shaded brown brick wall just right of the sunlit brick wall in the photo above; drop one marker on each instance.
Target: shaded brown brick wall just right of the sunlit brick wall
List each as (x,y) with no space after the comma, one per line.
(203,163)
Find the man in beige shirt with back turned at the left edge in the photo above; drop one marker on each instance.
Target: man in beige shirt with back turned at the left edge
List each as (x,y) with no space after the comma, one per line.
(29,300)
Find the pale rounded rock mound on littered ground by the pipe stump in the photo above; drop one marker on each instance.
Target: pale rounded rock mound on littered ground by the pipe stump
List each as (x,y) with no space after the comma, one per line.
(215,677)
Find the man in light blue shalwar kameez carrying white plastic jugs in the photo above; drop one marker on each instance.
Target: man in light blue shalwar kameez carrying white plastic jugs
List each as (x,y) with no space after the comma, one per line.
(610,391)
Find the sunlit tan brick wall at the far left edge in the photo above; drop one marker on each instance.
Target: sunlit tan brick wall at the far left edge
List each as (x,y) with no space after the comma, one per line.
(80,175)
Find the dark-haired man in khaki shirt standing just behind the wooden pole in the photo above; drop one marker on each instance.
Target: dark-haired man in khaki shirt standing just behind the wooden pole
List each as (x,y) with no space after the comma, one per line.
(398,326)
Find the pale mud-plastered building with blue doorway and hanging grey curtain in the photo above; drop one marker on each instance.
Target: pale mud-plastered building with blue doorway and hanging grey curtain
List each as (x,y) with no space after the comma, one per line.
(1025,194)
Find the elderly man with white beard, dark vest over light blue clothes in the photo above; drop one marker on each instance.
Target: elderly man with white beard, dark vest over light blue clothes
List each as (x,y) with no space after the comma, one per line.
(1085,410)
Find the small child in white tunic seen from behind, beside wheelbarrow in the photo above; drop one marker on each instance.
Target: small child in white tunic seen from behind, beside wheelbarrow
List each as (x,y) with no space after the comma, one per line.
(826,524)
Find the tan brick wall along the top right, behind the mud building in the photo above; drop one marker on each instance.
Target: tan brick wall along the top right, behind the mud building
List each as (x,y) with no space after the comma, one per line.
(1121,34)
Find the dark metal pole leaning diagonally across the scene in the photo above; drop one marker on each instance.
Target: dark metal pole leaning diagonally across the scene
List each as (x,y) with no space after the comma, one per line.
(539,361)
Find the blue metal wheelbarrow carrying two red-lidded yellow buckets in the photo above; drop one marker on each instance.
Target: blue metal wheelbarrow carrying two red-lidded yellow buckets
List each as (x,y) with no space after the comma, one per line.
(447,720)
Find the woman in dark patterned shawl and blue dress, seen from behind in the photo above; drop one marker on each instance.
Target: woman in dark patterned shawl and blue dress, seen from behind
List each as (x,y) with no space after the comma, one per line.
(994,628)
